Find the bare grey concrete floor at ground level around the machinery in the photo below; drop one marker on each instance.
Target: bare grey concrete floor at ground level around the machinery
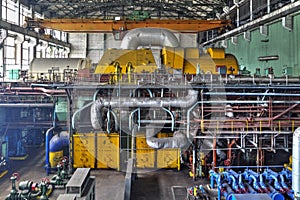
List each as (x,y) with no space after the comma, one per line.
(109,183)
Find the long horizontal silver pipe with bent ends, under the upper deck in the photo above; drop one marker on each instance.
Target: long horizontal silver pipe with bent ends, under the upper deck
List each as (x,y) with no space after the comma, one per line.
(127,102)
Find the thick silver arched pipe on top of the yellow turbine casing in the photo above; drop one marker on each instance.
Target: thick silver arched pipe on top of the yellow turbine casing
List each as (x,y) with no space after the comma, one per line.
(149,37)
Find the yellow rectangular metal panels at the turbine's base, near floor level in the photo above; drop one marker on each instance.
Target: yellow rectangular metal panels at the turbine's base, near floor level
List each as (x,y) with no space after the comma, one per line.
(94,150)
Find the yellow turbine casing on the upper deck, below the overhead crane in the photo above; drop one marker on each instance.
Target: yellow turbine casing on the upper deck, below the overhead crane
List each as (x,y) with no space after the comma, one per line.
(120,62)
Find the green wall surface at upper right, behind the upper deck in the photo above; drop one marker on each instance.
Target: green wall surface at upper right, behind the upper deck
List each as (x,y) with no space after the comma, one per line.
(279,41)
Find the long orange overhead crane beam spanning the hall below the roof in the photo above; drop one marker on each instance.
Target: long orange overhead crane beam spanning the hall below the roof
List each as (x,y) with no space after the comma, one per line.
(100,25)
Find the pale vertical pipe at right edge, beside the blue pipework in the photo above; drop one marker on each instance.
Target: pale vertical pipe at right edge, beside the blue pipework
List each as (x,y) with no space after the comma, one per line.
(296,163)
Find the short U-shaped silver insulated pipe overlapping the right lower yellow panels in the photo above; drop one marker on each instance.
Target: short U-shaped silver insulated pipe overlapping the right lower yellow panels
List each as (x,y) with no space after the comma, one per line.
(179,139)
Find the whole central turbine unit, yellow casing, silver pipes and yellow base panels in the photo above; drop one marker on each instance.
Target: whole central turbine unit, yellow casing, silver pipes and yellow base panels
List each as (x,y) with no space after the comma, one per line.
(140,111)
